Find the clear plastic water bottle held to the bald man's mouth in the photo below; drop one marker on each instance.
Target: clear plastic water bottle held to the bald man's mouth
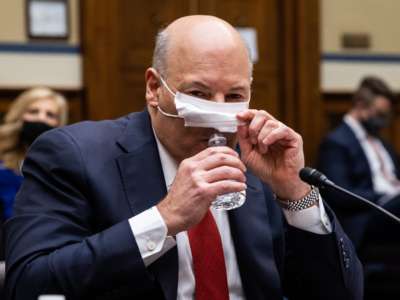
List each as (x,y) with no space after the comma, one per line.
(231,200)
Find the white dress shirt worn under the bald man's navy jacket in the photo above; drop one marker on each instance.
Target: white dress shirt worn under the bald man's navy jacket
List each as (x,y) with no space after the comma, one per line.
(150,233)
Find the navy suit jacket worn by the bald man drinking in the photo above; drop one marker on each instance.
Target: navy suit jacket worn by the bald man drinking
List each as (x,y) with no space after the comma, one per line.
(70,233)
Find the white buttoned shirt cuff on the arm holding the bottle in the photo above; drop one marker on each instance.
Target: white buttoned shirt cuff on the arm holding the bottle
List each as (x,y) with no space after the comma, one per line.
(150,233)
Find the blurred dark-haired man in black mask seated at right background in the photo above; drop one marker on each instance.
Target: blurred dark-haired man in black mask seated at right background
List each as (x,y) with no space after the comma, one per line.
(356,158)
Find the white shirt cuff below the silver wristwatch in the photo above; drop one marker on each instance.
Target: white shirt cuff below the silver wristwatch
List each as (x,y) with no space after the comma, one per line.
(313,219)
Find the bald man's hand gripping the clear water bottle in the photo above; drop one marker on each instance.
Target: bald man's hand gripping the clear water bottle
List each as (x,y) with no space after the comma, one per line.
(199,179)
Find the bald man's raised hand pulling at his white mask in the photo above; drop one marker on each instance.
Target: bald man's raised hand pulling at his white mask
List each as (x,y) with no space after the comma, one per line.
(274,152)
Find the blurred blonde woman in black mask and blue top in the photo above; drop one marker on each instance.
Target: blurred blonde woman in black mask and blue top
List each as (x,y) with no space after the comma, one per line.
(33,112)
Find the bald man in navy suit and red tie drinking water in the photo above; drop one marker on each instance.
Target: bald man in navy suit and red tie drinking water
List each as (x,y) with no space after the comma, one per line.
(121,209)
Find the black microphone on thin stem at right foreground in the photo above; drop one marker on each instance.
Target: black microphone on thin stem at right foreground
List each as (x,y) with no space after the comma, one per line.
(316,178)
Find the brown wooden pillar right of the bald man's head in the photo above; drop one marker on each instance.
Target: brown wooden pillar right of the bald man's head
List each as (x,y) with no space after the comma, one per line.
(300,80)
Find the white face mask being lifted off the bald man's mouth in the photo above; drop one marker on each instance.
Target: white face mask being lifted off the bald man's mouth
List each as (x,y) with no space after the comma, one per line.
(197,112)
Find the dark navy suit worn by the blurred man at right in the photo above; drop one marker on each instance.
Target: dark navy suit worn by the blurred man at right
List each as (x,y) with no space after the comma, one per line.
(343,160)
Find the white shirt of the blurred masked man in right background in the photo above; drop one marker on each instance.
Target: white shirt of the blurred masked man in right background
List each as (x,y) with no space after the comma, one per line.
(381,184)
